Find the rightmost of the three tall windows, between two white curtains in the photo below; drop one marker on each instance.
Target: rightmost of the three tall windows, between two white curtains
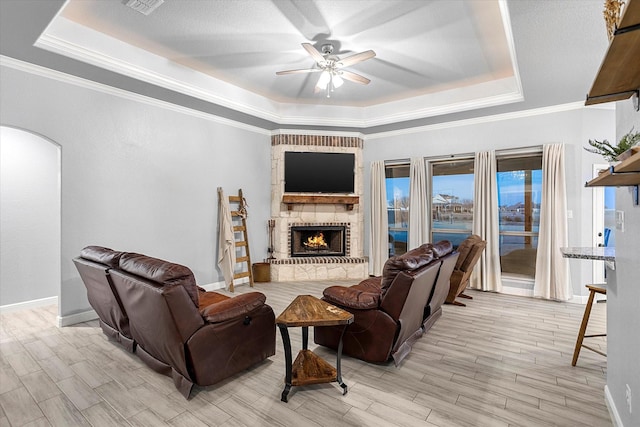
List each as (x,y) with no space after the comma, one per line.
(519,195)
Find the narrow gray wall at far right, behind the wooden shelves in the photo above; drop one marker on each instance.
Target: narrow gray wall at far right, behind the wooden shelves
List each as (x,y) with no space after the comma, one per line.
(623,295)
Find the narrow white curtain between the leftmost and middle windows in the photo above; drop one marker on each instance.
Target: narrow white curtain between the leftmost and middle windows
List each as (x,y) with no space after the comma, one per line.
(418,214)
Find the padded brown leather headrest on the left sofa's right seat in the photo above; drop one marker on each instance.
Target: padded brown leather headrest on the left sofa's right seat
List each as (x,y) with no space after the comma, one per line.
(162,272)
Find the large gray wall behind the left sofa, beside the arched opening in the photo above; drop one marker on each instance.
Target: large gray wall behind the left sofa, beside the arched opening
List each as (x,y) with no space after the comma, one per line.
(140,177)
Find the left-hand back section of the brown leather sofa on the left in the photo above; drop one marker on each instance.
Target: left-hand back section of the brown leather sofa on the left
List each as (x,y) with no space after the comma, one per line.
(94,264)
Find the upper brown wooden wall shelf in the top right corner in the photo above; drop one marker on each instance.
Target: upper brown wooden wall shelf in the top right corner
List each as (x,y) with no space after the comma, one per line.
(619,74)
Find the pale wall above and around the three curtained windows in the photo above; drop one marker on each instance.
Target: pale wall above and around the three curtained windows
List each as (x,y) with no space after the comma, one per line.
(572,126)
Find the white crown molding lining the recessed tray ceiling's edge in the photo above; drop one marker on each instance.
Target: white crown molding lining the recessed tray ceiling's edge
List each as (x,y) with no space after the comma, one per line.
(65,37)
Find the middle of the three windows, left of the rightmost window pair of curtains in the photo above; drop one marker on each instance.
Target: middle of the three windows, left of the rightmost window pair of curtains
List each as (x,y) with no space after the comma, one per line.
(451,200)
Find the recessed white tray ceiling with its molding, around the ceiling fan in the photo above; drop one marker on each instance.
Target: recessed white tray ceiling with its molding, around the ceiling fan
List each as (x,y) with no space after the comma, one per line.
(433,57)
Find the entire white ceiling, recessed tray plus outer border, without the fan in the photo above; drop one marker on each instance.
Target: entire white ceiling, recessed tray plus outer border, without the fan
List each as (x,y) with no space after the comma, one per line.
(556,49)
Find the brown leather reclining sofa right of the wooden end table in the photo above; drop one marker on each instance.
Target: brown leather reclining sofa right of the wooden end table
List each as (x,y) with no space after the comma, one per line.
(392,311)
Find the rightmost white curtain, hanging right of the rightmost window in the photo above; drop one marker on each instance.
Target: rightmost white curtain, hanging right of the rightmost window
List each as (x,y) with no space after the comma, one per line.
(552,270)
